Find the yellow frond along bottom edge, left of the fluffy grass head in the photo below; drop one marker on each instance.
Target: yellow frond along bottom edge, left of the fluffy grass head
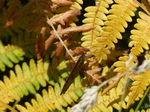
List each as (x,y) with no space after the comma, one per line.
(52,99)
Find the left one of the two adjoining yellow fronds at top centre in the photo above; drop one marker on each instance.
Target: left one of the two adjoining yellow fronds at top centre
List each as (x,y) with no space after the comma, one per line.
(95,16)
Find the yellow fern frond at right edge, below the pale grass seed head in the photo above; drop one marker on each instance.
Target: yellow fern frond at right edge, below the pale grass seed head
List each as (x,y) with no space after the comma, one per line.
(138,87)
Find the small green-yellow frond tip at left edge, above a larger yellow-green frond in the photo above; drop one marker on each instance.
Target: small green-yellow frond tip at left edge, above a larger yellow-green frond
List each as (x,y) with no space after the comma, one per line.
(9,54)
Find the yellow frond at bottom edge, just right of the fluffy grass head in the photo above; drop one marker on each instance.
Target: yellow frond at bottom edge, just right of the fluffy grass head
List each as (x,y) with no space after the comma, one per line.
(106,103)
